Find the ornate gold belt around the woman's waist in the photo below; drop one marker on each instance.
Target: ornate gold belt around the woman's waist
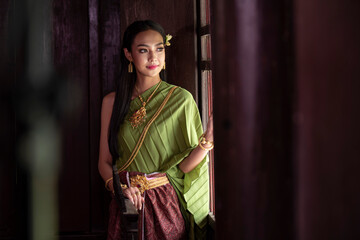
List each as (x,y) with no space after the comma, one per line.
(143,184)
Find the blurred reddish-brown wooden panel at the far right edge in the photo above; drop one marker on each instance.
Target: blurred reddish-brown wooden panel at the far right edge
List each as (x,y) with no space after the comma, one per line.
(328,57)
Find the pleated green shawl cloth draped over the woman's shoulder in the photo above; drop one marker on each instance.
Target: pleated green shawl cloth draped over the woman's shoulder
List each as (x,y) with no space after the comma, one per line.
(170,139)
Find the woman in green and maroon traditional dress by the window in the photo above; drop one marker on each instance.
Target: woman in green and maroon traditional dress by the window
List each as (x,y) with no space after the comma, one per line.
(152,129)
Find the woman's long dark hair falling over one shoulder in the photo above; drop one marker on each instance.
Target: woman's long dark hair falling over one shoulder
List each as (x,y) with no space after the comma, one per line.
(126,82)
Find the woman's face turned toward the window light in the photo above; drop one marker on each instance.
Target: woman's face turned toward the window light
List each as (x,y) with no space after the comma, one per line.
(147,53)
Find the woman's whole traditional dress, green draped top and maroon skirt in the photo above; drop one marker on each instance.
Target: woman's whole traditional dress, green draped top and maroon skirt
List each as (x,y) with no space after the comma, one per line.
(171,137)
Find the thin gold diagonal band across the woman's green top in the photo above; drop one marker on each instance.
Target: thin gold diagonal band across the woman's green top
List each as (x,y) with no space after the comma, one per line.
(144,132)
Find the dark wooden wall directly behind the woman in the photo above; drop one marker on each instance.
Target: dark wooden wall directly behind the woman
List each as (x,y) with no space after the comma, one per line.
(87,39)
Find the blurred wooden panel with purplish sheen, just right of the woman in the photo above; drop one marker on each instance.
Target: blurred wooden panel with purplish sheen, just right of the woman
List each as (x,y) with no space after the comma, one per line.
(252,120)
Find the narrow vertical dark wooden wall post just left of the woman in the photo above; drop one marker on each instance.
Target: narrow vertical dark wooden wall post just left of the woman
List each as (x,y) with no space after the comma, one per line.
(99,204)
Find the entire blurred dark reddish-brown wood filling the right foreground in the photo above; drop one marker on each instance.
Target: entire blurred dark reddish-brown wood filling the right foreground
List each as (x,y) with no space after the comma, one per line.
(286,111)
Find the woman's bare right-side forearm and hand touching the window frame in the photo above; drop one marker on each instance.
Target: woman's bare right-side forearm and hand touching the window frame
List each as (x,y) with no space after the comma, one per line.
(198,154)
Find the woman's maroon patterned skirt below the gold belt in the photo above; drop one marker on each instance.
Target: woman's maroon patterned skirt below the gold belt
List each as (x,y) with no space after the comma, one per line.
(160,217)
